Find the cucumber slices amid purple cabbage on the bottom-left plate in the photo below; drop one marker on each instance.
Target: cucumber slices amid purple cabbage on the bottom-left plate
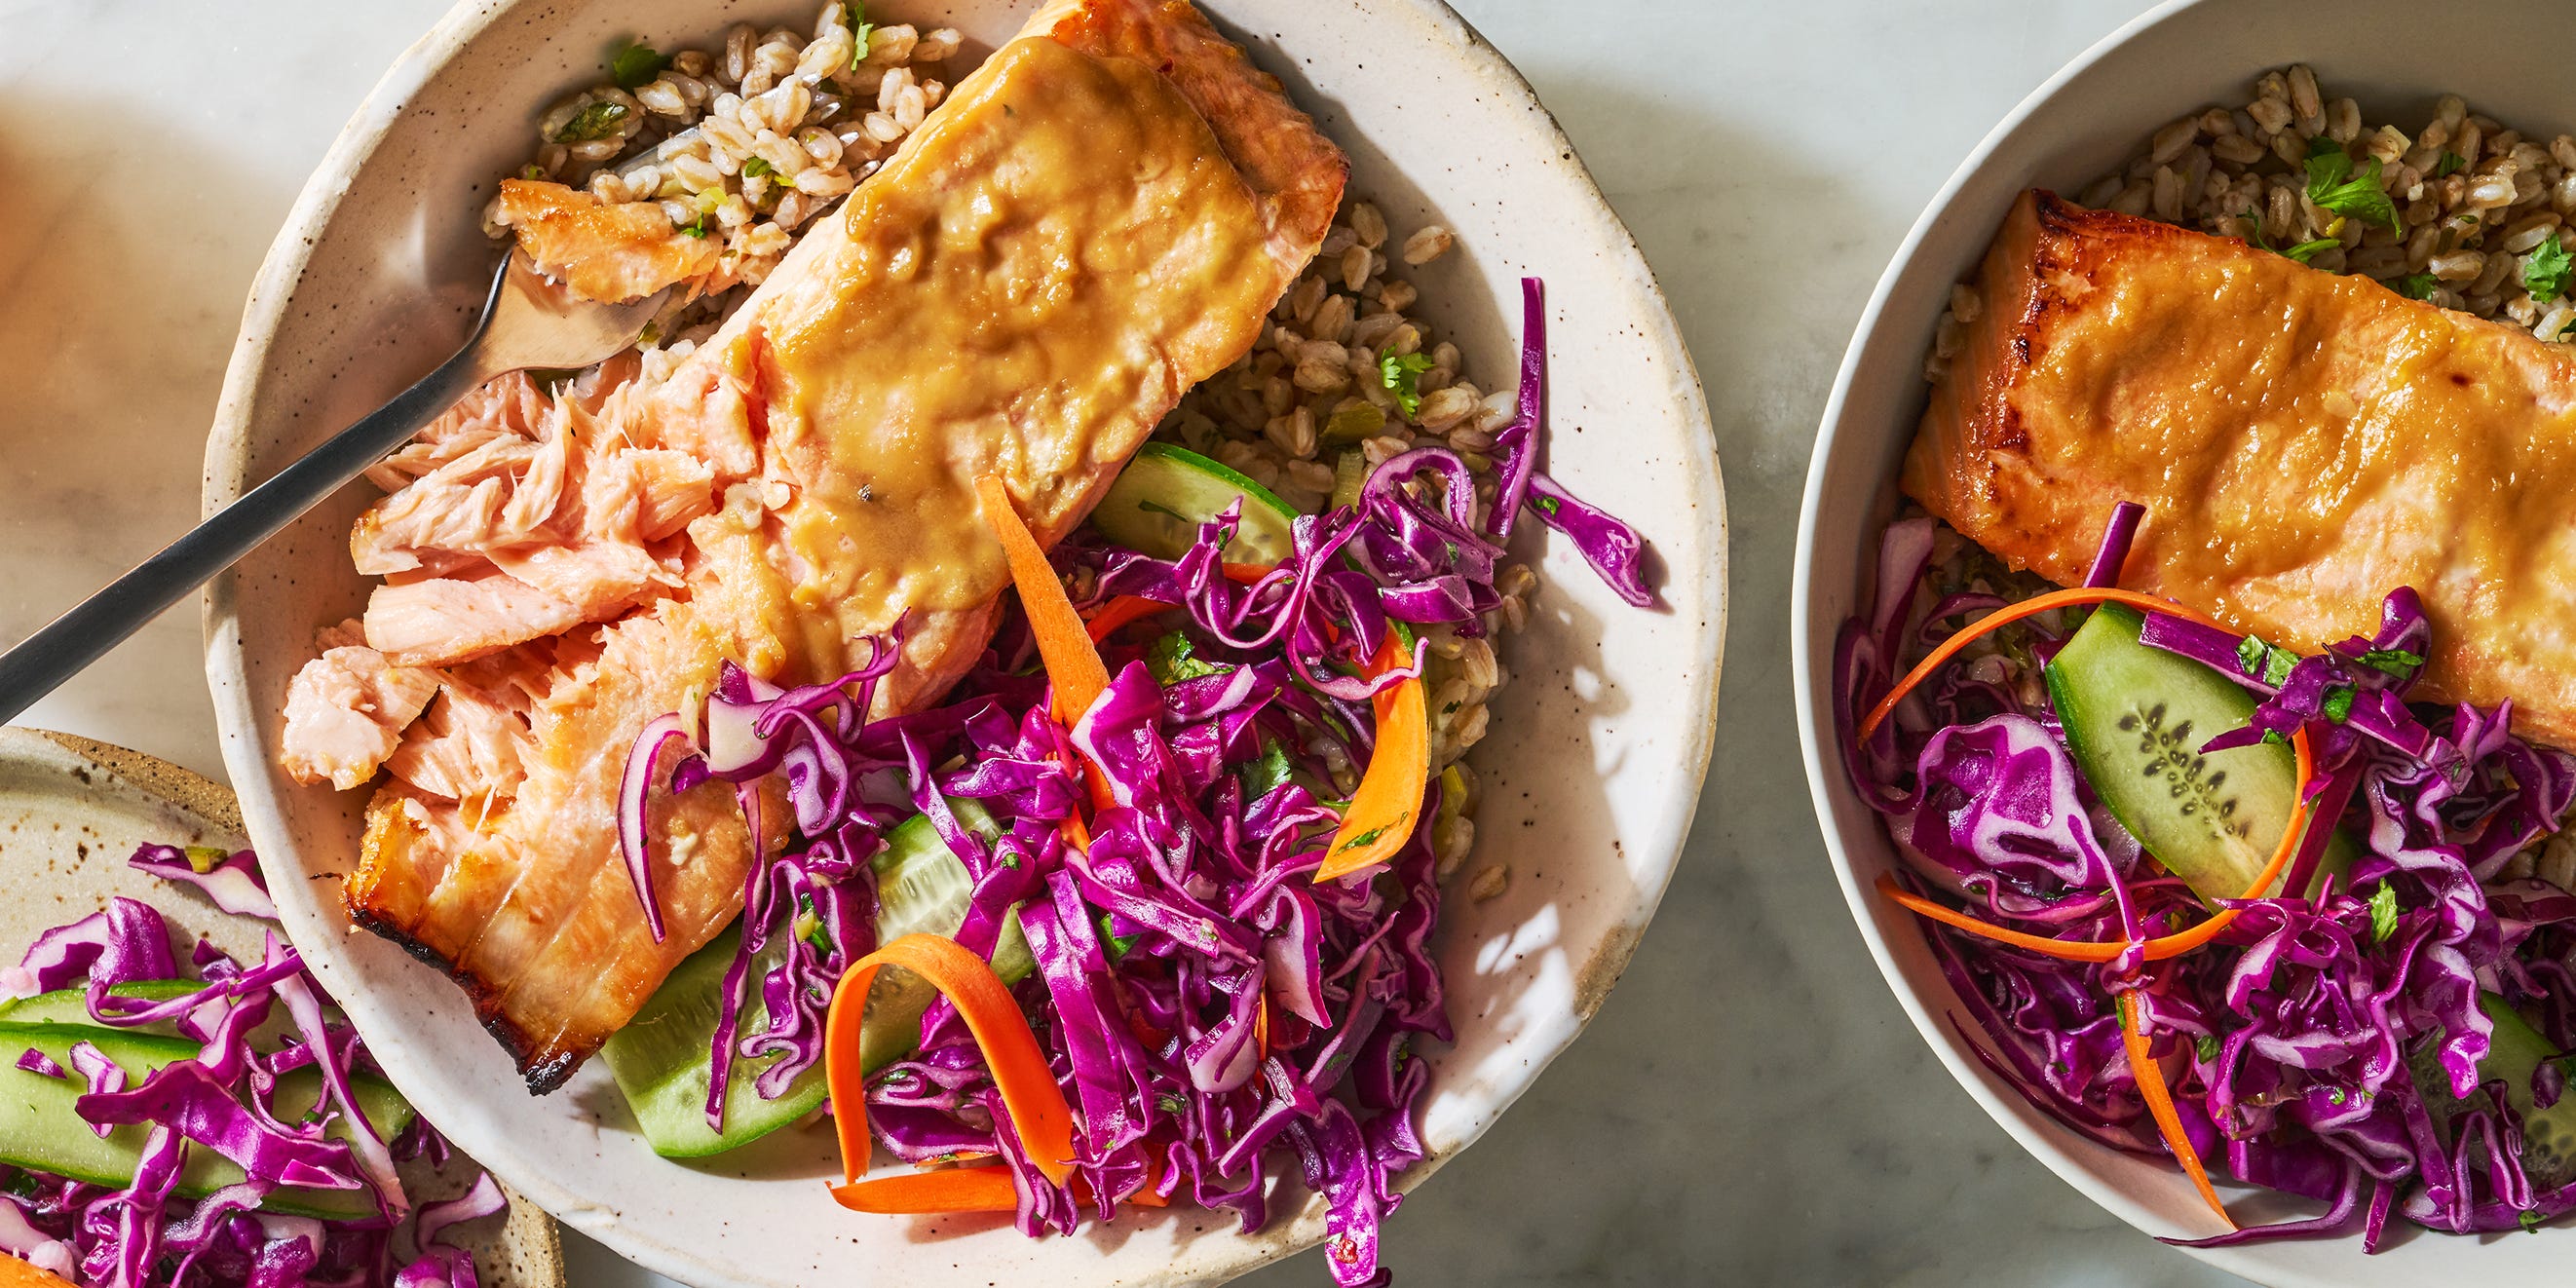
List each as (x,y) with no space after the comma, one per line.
(43,1132)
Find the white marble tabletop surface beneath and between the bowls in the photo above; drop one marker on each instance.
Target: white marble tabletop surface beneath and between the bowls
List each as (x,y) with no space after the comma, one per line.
(1750,1104)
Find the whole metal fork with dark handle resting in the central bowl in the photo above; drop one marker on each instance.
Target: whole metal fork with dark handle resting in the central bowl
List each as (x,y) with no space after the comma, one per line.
(527,323)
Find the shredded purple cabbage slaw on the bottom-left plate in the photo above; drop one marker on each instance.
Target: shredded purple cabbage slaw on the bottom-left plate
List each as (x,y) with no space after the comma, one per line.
(220,1101)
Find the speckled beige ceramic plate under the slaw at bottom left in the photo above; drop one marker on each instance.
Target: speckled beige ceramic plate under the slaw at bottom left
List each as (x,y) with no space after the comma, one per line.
(76,810)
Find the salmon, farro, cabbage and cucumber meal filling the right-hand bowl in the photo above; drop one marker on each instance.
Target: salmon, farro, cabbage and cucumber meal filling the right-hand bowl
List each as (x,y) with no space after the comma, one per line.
(2217,684)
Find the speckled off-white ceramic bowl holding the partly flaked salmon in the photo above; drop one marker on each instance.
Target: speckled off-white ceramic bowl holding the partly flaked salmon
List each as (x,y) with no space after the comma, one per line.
(1598,751)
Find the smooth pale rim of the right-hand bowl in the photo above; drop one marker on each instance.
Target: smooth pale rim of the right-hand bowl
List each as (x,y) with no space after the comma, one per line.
(1817,720)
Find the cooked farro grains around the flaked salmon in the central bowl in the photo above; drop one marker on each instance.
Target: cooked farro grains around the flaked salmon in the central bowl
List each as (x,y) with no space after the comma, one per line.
(756,138)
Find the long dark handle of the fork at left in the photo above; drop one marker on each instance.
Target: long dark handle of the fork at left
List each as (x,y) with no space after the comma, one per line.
(71,643)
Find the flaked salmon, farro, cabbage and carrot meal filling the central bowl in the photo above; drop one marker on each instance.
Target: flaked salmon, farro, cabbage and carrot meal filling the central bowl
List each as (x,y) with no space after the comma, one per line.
(1034,547)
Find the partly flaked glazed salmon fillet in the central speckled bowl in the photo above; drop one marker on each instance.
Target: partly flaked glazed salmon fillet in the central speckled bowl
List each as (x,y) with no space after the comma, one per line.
(1094,223)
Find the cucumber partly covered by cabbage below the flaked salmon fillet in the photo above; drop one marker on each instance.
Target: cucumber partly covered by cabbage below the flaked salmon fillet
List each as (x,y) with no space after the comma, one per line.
(661,1057)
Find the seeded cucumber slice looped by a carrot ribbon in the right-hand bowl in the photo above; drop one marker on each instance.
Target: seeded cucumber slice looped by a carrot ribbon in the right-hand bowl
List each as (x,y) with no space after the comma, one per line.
(2137,720)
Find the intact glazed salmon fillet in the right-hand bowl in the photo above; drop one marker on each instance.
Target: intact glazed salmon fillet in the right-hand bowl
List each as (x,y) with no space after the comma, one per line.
(2302,442)
